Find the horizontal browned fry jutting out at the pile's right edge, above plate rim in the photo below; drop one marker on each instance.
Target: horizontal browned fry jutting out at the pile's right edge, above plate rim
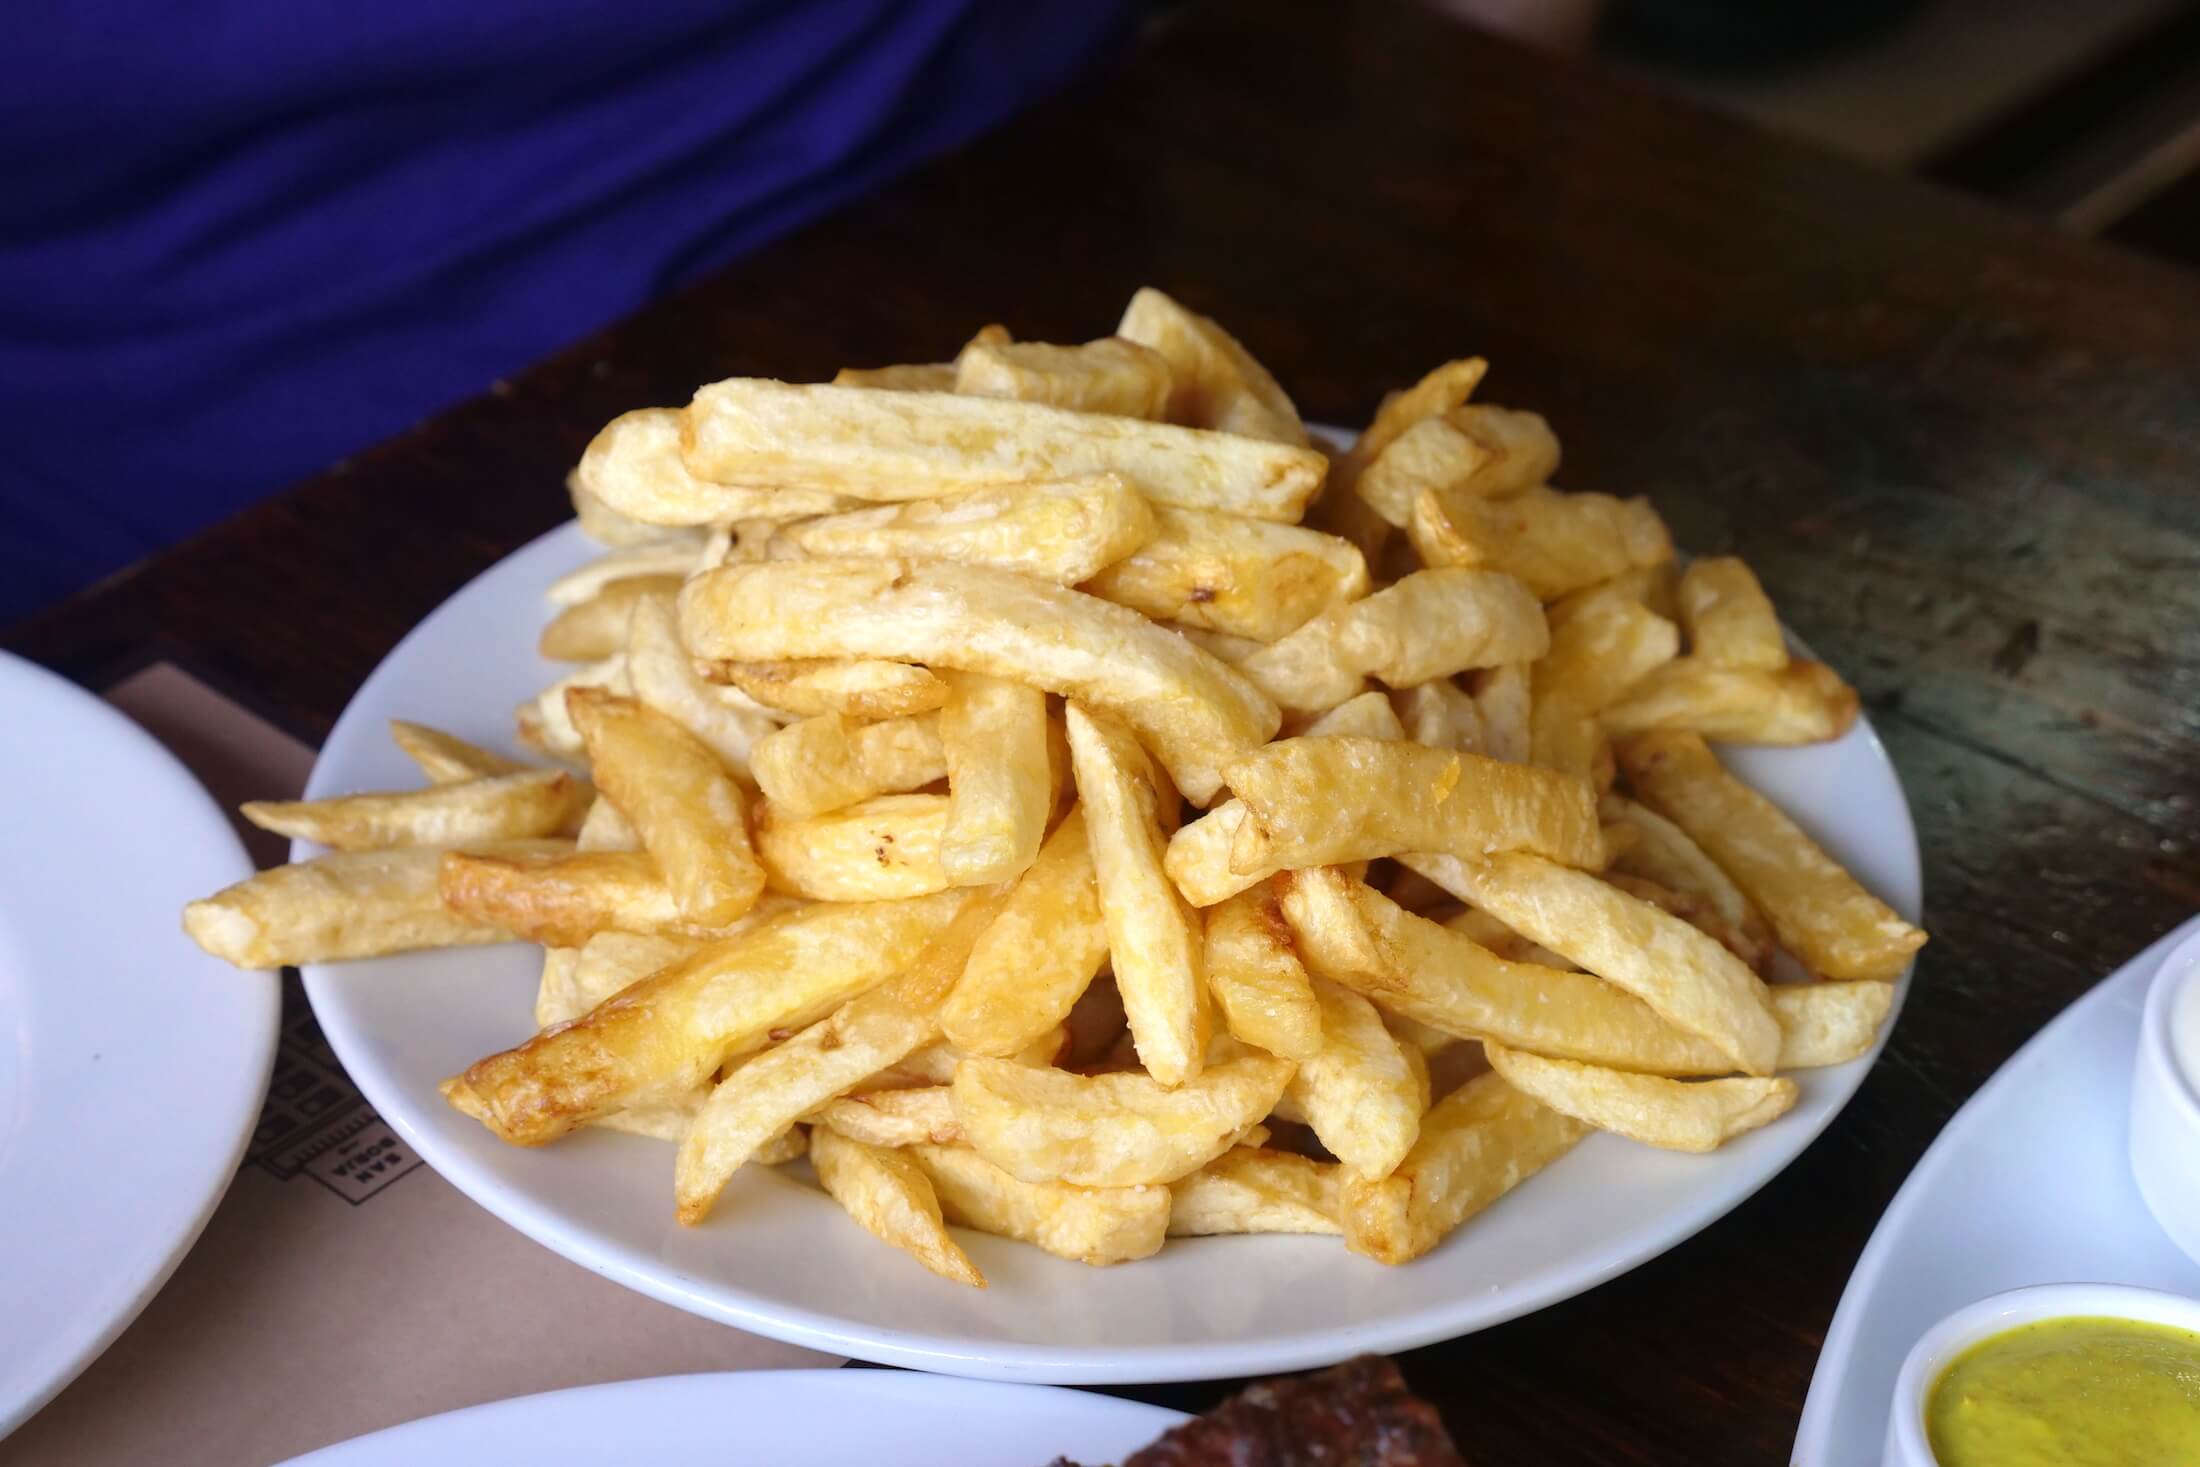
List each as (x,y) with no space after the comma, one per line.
(1805,703)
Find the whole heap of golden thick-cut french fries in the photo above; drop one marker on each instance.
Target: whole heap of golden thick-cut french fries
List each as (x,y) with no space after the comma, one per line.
(1053,795)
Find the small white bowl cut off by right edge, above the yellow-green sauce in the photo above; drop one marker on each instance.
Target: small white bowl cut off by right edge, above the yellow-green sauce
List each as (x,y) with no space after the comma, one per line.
(2166,1103)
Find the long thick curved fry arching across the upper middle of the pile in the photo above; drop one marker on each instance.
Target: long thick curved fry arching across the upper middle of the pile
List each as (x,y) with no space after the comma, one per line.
(1189,707)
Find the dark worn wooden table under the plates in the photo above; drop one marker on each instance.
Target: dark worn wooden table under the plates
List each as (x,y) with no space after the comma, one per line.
(1959,448)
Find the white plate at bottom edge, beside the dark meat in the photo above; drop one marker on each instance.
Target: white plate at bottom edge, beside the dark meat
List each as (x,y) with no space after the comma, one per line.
(769,1420)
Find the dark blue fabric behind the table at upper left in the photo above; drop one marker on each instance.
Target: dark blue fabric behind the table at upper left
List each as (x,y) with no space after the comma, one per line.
(243,239)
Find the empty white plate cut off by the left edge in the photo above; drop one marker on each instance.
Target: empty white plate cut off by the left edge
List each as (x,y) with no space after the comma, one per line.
(131,1063)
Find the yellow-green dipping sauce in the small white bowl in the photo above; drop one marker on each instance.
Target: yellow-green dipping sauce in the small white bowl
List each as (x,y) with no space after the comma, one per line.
(2071,1393)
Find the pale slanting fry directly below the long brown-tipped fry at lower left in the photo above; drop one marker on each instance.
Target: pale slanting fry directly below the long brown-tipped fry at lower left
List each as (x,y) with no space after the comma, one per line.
(824,1061)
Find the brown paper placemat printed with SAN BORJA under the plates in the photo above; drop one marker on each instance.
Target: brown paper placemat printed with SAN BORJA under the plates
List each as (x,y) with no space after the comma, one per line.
(342,1286)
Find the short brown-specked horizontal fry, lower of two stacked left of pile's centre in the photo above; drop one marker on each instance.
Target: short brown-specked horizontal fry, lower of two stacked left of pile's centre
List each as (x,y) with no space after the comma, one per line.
(883,848)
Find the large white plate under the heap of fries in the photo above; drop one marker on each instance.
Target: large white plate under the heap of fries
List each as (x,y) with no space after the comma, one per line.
(778,1257)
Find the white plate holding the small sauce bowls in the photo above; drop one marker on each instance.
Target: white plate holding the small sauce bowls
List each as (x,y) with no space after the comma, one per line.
(2025,1187)
